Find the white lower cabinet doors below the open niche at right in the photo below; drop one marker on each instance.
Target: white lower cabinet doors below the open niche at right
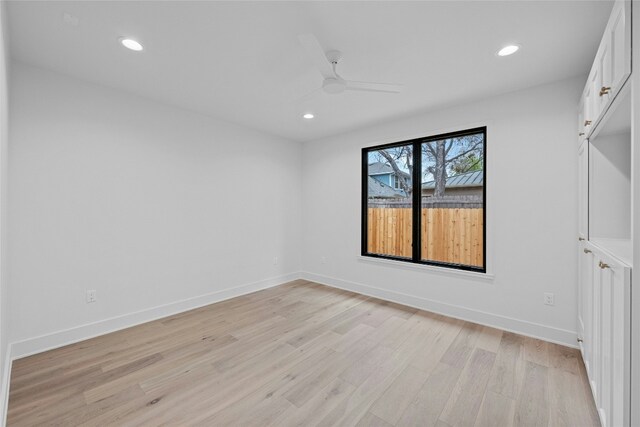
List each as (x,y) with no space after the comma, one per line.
(604,330)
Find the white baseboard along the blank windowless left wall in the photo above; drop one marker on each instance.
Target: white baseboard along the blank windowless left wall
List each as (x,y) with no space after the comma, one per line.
(90,330)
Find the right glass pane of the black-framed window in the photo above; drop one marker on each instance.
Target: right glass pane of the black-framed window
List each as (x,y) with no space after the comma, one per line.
(452,190)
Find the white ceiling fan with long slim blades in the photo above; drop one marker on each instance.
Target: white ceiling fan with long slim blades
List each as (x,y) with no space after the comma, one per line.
(326,64)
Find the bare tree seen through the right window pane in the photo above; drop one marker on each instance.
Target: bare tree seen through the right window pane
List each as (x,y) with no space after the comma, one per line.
(453,154)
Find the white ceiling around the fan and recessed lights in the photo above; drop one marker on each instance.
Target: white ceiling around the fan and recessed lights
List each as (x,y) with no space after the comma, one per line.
(242,62)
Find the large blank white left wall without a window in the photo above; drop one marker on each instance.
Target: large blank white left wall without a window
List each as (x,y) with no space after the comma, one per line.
(147,204)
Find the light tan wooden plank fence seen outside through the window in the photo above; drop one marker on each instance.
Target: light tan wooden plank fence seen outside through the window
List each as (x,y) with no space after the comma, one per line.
(453,235)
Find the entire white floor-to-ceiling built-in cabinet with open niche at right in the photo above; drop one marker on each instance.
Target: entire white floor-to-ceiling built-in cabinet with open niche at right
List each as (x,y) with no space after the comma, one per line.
(605,250)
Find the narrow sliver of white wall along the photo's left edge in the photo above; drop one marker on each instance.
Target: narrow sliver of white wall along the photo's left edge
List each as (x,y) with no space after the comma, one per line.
(4,143)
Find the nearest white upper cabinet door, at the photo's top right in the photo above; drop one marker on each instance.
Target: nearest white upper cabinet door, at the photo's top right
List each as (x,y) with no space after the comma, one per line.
(619,34)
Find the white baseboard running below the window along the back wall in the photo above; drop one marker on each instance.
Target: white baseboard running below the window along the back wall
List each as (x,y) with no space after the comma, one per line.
(535,330)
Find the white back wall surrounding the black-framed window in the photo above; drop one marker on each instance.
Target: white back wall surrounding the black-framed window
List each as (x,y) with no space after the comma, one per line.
(531,214)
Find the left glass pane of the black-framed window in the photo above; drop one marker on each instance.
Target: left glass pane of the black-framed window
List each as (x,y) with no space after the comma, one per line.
(389,214)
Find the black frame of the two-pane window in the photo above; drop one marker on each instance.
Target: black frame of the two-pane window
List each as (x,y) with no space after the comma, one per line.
(416,181)
